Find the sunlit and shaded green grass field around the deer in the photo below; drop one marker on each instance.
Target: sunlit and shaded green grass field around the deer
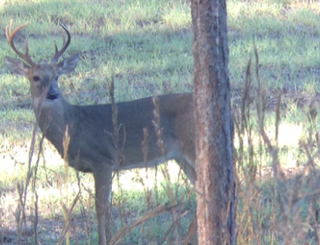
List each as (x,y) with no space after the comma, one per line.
(147,46)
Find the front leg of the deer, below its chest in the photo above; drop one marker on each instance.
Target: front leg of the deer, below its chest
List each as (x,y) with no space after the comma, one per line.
(102,177)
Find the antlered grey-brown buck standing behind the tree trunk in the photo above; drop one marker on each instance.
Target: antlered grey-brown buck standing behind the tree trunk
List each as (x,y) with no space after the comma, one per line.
(90,128)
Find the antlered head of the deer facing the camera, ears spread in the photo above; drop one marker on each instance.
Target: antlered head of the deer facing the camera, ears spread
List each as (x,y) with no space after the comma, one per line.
(43,78)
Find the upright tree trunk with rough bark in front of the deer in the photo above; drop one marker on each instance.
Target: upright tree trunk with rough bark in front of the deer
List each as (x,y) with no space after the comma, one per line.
(214,127)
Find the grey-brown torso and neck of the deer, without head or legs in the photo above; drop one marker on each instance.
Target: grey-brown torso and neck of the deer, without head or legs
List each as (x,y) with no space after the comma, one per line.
(91,131)
